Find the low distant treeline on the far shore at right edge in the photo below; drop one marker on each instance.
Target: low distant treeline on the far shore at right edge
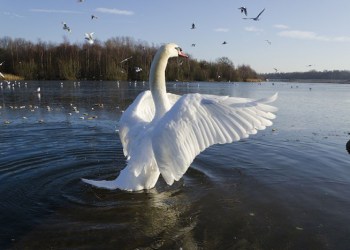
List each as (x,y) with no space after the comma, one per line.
(332,75)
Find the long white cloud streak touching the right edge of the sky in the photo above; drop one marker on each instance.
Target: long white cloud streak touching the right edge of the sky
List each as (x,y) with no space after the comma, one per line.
(309,35)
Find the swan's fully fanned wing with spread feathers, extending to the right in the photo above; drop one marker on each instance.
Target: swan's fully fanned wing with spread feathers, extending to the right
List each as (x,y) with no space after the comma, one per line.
(197,121)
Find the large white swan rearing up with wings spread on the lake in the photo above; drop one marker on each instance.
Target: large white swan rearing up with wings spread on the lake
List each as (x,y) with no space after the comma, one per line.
(162,133)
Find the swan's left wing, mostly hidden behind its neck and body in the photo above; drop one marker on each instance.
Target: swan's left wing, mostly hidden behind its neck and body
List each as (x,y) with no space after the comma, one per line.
(136,118)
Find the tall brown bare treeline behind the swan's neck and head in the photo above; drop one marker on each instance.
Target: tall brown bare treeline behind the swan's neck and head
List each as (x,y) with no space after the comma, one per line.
(104,61)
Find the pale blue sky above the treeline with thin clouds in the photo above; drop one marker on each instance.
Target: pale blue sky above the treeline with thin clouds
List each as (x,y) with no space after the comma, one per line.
(302,33)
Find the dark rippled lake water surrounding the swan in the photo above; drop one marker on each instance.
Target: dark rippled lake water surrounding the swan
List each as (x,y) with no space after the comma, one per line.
(288,187)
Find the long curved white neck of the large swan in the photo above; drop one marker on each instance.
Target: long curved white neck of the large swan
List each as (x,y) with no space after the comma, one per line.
(157,84)
